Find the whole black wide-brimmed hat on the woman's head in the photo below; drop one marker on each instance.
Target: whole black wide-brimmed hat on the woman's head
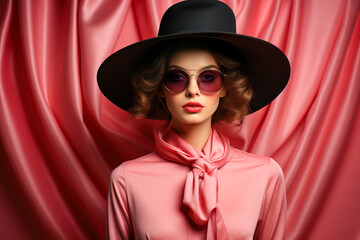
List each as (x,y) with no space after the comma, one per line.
(268,67)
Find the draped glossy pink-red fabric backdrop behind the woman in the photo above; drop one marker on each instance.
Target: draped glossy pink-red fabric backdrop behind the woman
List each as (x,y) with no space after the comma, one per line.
(60,138)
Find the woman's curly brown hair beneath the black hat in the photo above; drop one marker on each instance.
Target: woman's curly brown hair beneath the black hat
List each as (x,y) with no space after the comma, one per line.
(147,82)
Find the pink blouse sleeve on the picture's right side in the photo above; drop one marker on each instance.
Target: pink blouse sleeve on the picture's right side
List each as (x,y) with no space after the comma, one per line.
(272,221)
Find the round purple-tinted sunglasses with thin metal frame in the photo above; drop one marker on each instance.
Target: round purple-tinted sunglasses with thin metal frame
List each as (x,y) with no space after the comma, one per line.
(209,80)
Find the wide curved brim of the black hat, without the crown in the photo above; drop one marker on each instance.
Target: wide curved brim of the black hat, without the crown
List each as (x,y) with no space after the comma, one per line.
(269,68)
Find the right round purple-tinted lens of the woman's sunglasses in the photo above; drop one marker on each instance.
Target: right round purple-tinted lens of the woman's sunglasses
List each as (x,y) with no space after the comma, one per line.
(210,81)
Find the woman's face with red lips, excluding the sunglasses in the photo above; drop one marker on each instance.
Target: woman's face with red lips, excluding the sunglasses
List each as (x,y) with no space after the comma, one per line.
(192,106)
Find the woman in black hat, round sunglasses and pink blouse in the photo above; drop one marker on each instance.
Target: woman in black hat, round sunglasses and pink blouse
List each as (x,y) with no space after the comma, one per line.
(198,71)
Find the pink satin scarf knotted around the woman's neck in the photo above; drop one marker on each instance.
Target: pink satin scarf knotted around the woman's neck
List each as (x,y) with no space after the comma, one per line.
(201,187)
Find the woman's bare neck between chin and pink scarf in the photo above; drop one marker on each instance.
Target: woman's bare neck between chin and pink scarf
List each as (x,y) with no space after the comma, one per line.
(195,134)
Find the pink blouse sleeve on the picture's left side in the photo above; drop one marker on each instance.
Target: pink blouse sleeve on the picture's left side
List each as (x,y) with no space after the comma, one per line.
(118,215)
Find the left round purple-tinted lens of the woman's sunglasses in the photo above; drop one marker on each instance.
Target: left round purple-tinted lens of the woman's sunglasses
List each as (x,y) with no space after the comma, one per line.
(176,80)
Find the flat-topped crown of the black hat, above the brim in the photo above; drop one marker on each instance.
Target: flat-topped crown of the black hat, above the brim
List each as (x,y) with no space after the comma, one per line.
(198,16)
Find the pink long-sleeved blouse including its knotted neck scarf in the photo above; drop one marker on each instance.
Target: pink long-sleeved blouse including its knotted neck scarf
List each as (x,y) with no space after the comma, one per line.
(179,192)
